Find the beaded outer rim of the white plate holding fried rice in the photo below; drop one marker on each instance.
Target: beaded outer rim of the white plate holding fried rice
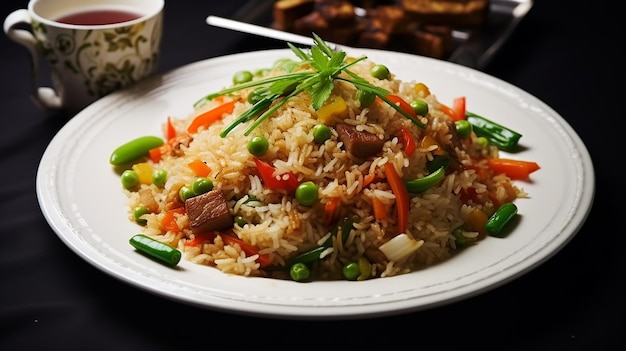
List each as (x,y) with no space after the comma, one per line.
(59,224)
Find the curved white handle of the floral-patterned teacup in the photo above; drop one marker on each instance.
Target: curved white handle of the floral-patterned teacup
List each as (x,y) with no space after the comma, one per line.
(44,97)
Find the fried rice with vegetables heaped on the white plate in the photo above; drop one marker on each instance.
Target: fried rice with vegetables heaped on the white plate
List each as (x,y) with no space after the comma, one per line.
(273,227)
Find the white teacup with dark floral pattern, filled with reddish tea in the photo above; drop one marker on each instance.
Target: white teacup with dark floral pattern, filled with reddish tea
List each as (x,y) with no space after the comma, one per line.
(92,47)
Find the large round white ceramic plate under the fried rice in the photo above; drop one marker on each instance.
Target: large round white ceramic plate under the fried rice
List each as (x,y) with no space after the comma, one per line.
(82,200)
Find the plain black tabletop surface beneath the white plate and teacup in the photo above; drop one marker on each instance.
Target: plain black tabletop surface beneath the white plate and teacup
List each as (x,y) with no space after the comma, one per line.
(50,298)
